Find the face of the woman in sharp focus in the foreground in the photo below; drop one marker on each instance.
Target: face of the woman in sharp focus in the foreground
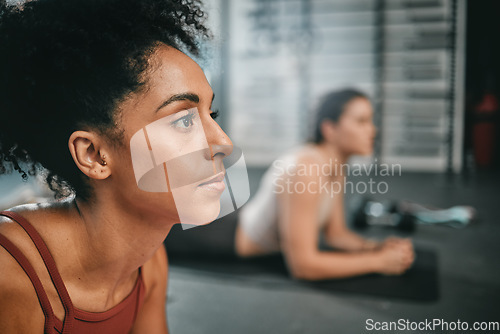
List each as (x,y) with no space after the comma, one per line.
(172,148)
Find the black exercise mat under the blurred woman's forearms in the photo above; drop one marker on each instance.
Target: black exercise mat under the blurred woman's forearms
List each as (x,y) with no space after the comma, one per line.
(419,283)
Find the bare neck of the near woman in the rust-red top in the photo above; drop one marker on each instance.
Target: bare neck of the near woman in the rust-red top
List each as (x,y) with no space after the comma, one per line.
(114,242)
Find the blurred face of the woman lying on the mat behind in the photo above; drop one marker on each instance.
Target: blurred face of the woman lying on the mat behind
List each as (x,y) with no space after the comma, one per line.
(355,131)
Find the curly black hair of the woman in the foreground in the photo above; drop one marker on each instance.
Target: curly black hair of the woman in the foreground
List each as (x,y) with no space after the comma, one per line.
(66,64)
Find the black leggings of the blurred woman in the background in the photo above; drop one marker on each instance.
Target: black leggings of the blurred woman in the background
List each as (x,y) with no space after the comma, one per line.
(214,239)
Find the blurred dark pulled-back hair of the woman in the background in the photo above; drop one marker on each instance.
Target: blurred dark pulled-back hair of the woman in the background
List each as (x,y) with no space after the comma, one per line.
(331,107)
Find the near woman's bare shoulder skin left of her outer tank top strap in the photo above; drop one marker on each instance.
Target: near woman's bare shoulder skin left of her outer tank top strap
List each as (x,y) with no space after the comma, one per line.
(20,310)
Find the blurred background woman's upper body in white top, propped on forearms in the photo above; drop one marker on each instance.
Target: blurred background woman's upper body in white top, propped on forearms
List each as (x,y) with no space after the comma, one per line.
(301,197)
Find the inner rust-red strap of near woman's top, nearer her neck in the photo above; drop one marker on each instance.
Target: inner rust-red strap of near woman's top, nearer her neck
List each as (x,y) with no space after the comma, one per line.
(51,268)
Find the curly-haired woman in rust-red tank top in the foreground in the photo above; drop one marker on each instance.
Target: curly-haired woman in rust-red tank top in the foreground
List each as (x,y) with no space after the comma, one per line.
(78,79)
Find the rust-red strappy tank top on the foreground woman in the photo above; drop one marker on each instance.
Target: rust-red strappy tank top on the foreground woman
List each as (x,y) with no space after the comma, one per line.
(119,319)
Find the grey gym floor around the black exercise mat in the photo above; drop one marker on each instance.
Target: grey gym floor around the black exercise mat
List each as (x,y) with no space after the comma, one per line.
(468,270)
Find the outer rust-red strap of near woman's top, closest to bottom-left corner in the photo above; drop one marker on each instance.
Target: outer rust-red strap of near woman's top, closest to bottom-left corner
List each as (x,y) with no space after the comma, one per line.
(35,280)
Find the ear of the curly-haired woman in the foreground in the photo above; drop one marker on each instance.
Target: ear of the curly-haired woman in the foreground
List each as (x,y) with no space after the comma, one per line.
(88,154)
